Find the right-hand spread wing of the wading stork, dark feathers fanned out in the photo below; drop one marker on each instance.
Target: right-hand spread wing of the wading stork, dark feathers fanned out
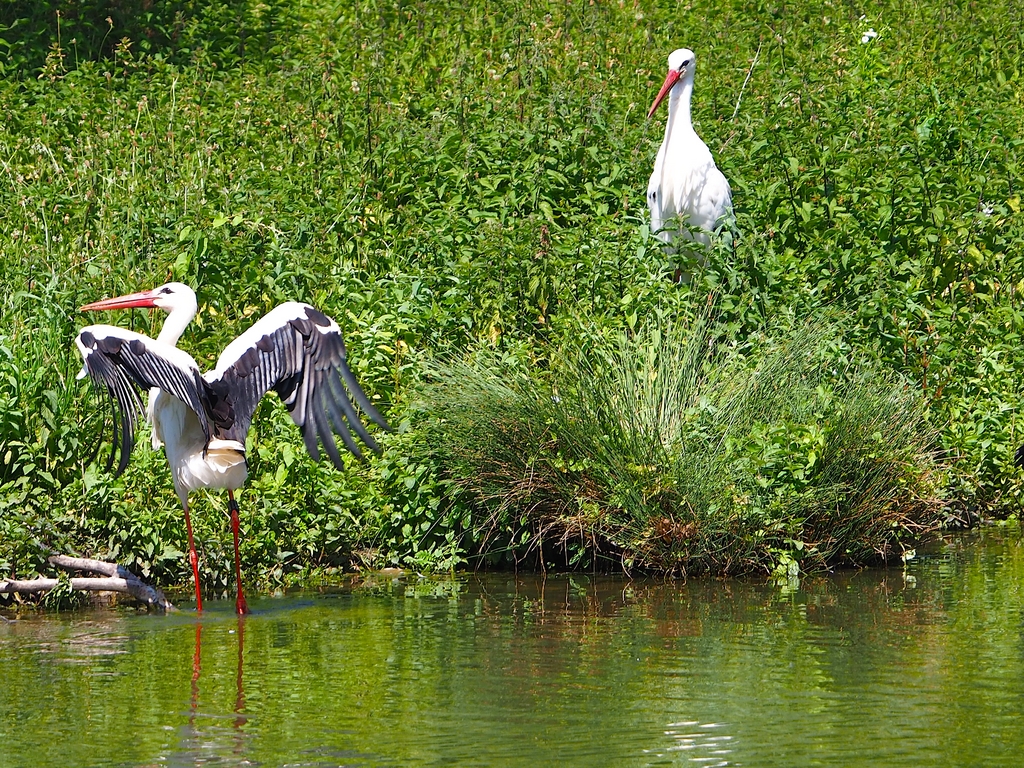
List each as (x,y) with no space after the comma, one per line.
(298,353)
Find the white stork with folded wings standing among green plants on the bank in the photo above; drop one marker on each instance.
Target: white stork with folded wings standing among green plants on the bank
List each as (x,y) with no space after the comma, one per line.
(687,185)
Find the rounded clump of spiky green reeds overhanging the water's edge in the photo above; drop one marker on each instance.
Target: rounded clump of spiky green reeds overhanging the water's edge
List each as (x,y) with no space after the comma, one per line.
(674,452)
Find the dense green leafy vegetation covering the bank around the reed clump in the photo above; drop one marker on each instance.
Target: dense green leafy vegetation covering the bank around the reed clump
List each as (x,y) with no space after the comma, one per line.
(448,180)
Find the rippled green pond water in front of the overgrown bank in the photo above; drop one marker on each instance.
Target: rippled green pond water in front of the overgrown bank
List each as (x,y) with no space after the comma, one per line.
(922,667)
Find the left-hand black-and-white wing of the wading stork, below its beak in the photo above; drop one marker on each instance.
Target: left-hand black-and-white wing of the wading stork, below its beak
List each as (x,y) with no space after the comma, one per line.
(123,363)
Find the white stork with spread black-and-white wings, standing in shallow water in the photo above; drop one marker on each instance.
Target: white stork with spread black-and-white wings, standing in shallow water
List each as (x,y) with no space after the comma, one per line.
(203,420)
